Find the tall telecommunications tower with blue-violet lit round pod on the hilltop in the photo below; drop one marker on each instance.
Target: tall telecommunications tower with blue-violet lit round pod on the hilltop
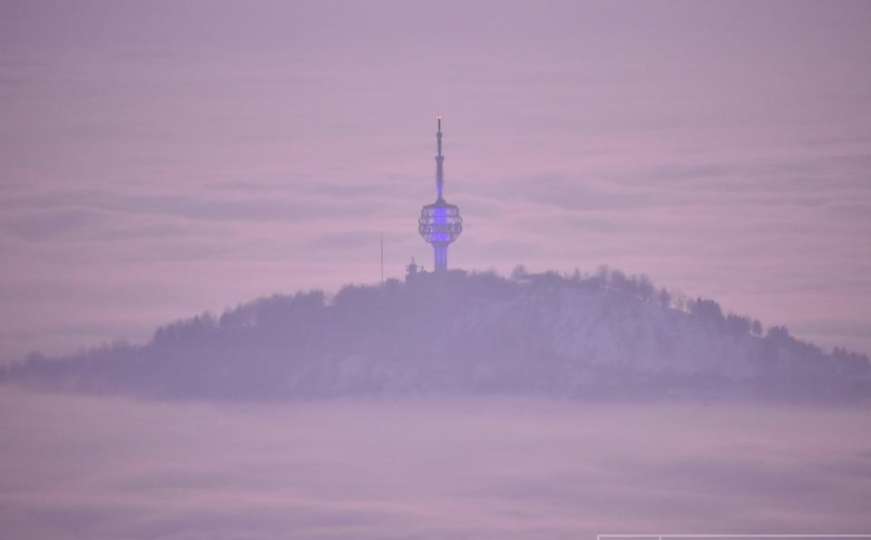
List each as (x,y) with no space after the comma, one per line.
(440,223)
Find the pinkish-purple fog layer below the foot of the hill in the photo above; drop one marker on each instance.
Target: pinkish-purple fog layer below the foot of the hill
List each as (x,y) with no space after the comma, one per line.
(105,468)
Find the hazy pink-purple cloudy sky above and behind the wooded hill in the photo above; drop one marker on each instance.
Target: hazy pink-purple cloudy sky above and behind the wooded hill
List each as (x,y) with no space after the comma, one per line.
(159,159)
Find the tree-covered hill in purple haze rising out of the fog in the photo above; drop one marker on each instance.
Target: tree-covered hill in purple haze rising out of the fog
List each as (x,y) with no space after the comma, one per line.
(599,336)
